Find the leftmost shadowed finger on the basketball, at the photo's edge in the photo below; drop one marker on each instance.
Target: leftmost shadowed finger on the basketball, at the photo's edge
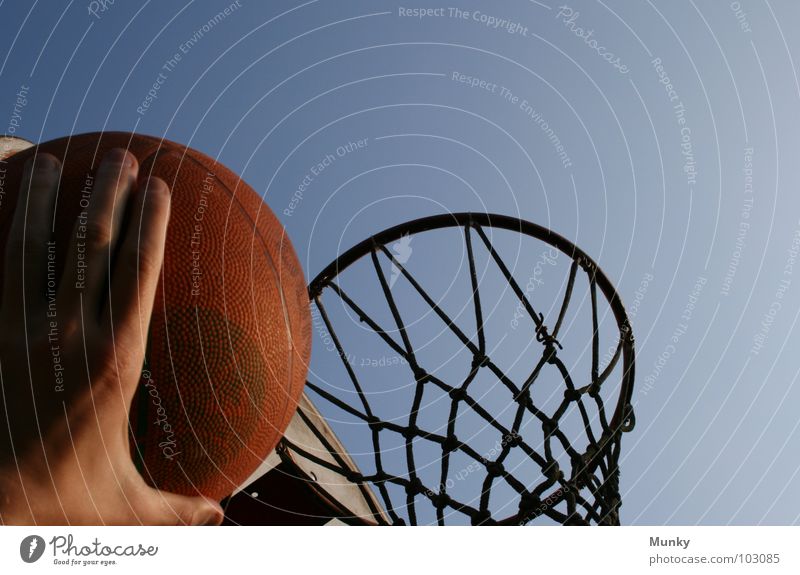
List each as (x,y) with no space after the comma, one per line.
(29,237)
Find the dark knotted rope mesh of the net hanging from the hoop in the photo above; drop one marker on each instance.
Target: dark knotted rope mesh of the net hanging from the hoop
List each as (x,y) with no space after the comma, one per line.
(577,479)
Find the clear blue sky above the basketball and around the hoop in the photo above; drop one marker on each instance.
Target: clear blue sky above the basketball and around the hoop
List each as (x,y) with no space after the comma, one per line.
(660,136)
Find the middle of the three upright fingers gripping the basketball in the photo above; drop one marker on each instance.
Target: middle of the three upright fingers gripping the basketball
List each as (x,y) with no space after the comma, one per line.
(96,235)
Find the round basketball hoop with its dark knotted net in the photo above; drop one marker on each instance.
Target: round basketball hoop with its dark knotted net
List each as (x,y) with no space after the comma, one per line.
(541,468)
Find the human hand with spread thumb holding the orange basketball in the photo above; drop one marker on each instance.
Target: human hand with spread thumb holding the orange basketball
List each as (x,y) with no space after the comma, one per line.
(71,359)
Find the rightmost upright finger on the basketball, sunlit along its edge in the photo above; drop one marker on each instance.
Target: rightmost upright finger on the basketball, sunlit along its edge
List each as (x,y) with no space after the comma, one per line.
(134,278)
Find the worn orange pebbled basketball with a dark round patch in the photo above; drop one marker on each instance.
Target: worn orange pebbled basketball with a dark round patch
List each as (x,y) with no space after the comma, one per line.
(230,336)
